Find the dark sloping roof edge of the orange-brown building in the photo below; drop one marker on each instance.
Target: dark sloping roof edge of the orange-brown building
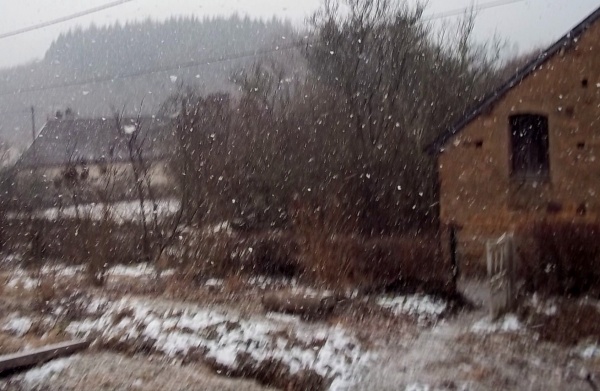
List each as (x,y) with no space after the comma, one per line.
(566,41)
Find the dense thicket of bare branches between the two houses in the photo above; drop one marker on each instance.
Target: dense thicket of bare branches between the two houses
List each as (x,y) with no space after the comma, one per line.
(343,140)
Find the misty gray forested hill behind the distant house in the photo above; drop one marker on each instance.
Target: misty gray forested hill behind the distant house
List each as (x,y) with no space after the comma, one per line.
(112,54)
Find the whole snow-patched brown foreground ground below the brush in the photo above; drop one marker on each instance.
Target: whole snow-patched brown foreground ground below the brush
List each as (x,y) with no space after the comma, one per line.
(151,335)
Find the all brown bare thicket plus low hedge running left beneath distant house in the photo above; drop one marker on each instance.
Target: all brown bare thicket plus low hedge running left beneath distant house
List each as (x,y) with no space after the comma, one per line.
(321,171)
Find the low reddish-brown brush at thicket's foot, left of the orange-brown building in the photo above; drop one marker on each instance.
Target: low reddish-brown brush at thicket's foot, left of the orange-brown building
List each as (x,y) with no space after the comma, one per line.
(405,264)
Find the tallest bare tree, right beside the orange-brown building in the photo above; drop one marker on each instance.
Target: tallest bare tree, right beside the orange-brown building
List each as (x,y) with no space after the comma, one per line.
(397,85)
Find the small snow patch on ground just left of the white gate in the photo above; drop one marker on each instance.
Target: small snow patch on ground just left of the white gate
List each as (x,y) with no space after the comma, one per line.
(423,307)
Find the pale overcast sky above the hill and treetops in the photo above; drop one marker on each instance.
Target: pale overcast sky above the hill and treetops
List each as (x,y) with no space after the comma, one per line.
(524,24)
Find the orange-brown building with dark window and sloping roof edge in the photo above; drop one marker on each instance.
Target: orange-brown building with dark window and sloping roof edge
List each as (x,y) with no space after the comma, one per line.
(529,151)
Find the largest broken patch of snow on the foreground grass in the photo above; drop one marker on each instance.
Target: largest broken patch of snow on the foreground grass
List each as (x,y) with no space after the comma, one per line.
(329,351)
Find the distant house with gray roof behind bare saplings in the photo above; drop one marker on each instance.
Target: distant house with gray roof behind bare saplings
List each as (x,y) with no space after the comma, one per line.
(94,152)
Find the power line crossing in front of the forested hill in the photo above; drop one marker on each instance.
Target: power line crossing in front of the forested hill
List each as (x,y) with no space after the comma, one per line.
(190,64)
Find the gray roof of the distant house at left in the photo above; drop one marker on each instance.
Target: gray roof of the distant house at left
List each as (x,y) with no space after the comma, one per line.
(95,140)
